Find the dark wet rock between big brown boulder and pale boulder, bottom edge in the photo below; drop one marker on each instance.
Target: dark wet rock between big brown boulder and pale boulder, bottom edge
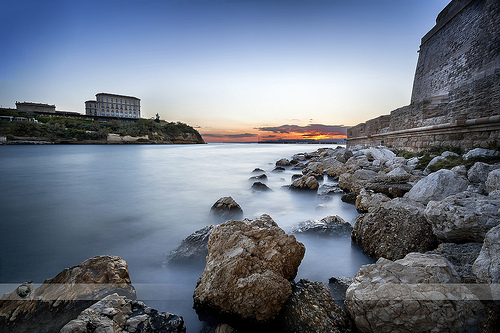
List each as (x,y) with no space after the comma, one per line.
(311,308)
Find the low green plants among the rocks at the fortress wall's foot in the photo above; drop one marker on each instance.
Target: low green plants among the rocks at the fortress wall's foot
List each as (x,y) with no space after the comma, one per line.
(450,162)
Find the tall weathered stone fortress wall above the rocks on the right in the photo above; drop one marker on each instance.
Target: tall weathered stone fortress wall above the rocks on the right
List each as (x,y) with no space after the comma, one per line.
(456,90)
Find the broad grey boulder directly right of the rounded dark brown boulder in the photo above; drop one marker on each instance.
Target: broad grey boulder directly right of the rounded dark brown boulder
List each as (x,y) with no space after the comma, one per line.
(463,217)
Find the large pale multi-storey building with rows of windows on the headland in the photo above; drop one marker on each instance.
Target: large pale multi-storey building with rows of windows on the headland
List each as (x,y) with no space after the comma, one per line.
(111,105)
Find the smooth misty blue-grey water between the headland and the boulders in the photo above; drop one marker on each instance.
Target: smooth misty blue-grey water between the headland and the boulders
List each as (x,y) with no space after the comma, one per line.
(63,204)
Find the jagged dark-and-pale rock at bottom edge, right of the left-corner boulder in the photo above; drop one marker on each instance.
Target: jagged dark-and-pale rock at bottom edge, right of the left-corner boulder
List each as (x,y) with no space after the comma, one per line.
(116,314)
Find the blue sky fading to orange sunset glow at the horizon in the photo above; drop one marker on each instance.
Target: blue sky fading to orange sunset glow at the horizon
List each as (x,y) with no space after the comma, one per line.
(236,70)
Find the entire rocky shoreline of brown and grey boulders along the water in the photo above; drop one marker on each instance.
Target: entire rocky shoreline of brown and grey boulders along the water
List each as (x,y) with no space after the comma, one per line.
(435,236)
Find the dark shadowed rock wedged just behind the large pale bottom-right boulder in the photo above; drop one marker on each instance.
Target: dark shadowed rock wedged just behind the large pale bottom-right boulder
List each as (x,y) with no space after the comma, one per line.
(461,256)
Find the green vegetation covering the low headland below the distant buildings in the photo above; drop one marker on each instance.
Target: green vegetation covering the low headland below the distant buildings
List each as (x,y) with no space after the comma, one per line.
(64,129)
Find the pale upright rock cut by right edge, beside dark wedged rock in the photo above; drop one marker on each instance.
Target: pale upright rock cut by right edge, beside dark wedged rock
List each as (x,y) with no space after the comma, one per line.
(487,265)
